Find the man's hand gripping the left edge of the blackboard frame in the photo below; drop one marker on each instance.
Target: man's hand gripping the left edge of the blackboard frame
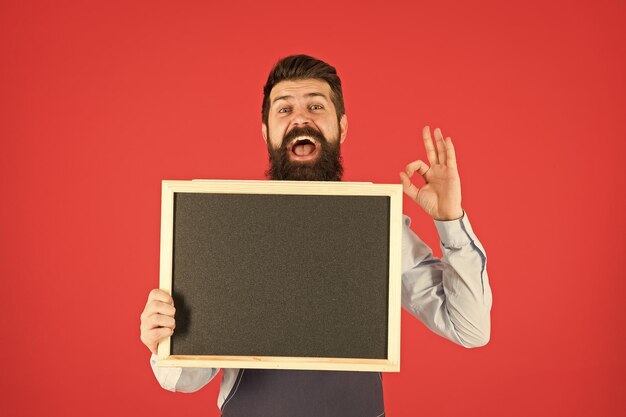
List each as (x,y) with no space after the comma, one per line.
(157,319)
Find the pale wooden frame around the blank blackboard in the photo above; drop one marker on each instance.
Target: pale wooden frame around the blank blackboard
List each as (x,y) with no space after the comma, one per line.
(393,191)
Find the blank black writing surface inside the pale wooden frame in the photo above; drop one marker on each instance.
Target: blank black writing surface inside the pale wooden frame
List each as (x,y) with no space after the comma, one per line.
(281,275)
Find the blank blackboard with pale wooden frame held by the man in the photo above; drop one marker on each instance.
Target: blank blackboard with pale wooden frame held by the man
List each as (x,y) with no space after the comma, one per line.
(281,274)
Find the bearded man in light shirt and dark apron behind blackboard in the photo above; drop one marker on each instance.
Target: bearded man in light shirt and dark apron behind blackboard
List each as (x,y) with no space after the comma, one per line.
(304,124)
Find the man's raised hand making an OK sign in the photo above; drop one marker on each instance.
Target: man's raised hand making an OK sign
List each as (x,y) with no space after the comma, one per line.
(440,196)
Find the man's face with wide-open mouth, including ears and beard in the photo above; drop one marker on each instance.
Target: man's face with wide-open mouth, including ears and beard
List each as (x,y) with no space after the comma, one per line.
(303,134)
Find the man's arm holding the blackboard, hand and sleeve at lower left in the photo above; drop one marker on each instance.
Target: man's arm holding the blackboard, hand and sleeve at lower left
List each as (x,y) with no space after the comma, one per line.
(157,323)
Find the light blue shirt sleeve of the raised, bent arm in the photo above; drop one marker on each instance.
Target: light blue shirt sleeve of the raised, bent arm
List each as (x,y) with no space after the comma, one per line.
(451,296)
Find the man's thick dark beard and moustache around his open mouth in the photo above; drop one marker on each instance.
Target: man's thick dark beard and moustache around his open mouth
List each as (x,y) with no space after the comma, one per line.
(327,166)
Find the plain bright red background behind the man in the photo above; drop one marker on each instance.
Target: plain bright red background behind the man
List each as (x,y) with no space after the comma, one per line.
(101,101)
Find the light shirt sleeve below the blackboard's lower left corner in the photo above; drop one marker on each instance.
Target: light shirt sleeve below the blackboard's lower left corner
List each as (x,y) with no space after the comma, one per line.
(182,379)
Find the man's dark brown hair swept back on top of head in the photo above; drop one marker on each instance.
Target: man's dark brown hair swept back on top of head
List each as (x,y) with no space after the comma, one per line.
(300,67)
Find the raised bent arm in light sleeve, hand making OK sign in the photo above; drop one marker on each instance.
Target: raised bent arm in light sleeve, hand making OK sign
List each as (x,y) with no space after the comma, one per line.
(451,296)
